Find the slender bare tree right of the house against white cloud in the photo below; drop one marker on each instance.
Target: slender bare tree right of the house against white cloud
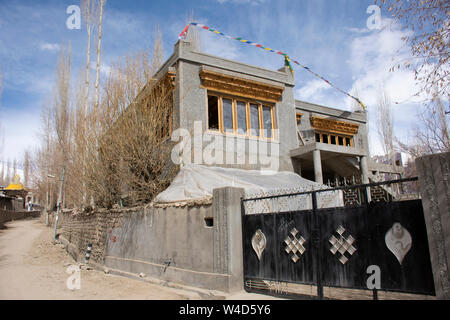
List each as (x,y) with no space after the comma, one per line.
(385,123)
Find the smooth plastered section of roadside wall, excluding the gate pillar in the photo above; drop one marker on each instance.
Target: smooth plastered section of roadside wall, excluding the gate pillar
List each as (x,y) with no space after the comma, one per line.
(170,243)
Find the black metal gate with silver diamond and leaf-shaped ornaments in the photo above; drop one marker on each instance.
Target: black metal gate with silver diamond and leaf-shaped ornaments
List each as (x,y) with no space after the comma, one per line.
(301,252)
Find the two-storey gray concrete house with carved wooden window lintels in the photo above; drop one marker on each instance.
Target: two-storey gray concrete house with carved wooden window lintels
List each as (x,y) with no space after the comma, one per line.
(253,110)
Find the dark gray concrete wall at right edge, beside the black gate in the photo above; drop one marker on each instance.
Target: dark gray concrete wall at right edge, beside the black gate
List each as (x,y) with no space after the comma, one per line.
(434,182)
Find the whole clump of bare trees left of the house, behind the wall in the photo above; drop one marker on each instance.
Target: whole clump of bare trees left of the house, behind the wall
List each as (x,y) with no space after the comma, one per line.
(128,137)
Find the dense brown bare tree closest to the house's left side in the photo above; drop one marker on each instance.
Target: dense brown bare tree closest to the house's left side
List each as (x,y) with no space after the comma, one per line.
(130,165)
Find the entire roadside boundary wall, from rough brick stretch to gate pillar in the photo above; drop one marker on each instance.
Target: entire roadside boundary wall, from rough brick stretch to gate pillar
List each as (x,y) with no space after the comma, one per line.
(173,244)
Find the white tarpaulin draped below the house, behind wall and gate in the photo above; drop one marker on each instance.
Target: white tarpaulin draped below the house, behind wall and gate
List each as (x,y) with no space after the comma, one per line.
(197,182)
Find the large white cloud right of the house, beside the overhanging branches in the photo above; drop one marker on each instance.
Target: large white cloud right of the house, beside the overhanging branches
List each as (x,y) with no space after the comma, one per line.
(372,56)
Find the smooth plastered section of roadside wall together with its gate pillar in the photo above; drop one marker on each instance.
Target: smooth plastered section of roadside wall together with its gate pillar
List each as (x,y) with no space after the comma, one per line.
(175,243)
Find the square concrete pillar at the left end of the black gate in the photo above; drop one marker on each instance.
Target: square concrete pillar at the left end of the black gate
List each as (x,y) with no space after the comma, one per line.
(228,250)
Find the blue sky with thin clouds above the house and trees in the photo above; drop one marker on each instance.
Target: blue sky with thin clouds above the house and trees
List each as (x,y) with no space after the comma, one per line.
(329,36)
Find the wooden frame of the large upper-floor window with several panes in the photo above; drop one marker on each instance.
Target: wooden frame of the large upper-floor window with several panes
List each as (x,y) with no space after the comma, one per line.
(234,101)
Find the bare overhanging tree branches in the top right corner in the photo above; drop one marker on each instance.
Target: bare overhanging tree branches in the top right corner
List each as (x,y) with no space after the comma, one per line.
(429,20)
